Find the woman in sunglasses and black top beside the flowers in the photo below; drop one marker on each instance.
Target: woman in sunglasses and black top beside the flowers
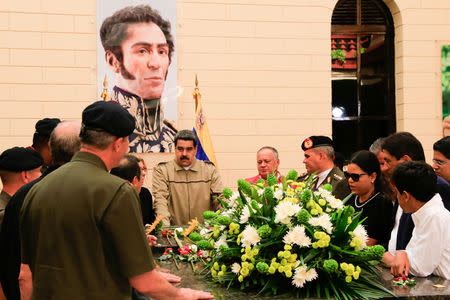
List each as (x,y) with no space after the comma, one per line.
(365,181)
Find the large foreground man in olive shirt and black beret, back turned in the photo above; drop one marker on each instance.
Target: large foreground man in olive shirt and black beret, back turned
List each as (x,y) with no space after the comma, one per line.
(81,231)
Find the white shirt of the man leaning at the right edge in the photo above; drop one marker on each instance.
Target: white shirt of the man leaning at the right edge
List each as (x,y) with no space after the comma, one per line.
(429,248)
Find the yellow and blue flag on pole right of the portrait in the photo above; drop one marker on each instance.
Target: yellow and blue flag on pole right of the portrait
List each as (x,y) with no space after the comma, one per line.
(205,149)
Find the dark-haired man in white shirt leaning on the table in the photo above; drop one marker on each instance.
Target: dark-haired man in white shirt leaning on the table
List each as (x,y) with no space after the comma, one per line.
(428,251)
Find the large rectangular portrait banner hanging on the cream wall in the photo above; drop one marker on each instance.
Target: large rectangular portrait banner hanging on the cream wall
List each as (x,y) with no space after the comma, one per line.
(137,67)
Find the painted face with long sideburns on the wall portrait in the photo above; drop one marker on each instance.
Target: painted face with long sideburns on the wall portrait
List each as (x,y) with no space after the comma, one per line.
(145,61)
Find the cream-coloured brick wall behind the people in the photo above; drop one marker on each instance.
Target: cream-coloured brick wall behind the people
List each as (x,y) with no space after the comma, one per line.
(263,69)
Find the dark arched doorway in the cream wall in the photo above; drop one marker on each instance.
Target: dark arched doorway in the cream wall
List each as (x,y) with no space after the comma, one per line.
(363,92)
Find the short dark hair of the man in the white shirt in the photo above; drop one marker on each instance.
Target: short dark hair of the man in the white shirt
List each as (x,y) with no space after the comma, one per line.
(417,178)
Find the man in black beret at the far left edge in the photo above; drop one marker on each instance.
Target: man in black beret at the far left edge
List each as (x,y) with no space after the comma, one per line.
(18,166)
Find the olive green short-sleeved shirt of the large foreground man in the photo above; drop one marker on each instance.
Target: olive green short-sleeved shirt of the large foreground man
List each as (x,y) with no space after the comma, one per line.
(82,234)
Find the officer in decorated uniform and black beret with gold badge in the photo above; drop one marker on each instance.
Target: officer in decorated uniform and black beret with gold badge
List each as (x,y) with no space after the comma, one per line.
(319,159)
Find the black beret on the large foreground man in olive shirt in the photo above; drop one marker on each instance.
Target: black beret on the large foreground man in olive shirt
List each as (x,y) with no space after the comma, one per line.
(109,116)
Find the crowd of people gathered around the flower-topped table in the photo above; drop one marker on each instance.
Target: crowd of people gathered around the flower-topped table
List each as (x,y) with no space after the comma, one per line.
(73,205)
